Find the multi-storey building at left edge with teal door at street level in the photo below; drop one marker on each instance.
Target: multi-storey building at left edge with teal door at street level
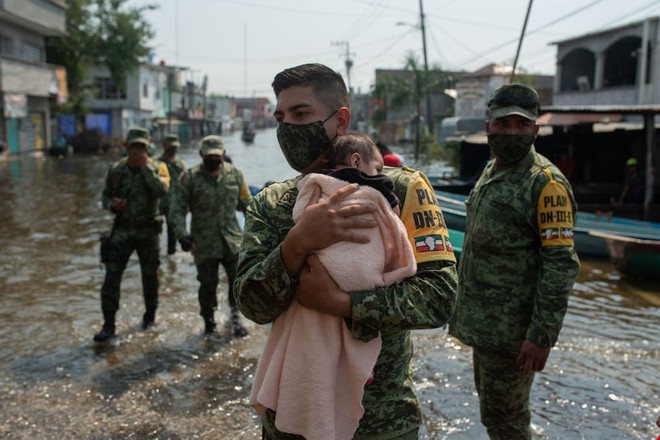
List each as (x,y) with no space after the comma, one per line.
(26,80)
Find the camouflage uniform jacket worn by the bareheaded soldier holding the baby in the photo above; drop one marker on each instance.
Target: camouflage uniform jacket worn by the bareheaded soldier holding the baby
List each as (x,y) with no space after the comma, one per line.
(264,290)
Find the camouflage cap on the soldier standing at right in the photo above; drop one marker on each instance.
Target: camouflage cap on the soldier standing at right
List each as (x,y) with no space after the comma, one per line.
(514,99)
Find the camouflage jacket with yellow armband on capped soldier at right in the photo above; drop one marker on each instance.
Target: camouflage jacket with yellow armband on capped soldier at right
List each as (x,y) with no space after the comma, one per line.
(518,263)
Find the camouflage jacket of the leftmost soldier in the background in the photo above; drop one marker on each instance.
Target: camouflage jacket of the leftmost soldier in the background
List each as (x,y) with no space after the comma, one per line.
(143,188)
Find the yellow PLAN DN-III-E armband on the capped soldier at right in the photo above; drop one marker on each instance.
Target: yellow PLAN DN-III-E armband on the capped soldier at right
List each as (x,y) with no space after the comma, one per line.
(555,215)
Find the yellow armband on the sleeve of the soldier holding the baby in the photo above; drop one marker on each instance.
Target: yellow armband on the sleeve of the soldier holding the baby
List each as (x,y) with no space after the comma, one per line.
(422,216)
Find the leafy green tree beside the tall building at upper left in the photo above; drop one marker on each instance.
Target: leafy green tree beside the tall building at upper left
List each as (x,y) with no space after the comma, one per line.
(99,32)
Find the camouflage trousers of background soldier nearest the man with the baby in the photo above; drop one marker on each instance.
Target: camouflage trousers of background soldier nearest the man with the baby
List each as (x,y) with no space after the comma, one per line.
(207,275)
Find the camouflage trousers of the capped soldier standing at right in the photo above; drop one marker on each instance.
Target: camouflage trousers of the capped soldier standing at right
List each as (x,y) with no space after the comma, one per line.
(503,394)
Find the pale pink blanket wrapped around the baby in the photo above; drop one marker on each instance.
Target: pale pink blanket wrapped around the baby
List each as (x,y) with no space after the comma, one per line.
(312,372)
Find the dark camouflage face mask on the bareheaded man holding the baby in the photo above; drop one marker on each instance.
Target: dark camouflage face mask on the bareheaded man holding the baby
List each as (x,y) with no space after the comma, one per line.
(302,145)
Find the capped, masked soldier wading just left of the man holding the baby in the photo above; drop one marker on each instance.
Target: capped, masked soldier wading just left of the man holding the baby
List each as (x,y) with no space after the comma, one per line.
(212,192)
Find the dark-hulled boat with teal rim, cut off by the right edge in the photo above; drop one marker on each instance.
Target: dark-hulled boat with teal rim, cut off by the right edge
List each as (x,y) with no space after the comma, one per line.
(633,257)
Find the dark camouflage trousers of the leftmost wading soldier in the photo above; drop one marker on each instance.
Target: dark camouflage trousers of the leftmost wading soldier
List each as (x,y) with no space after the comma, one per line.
(121,248)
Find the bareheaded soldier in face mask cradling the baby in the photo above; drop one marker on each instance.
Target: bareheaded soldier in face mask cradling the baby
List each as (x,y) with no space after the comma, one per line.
(277,266)
